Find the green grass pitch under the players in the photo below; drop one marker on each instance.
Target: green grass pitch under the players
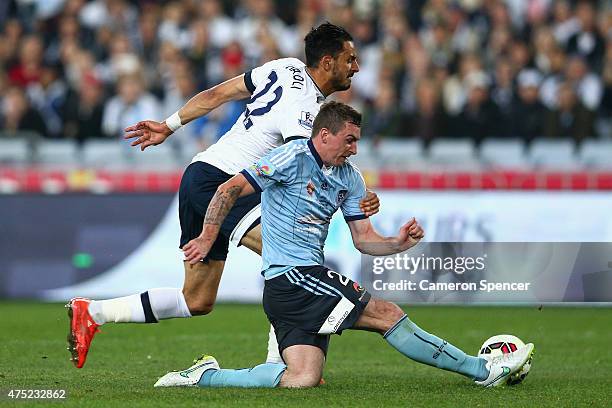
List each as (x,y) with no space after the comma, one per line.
(572,366)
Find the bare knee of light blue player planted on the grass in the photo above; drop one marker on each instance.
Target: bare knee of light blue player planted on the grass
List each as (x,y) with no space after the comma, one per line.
(304,366)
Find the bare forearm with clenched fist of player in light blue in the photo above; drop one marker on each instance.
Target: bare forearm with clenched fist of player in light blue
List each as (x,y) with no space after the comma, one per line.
(370,242)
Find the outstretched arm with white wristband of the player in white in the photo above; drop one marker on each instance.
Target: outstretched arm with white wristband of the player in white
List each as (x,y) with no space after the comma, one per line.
(151,133)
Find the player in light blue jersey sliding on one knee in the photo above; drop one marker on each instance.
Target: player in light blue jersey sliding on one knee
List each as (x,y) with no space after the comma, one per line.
(304,182)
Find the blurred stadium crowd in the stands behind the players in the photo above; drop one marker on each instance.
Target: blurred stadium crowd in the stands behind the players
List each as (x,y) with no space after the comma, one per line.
(429,68)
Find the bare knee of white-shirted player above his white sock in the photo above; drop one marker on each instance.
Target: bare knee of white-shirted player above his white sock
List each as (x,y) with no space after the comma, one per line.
(201,285)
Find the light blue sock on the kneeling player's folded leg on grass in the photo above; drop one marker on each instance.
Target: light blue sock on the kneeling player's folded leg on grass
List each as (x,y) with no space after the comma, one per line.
(266,375)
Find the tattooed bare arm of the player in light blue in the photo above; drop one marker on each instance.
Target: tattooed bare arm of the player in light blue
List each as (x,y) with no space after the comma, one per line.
(219,207)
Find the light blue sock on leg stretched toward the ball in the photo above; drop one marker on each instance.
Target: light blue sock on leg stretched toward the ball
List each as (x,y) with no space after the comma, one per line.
(415,343)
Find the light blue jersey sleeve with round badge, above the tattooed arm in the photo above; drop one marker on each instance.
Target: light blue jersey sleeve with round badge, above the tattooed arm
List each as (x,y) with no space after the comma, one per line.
(277,167)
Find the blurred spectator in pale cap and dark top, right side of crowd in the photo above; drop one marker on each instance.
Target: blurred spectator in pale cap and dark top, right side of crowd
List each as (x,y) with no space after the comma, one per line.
(528,111)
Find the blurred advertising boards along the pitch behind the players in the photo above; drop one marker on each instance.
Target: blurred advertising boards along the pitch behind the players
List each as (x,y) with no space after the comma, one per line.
(116,244)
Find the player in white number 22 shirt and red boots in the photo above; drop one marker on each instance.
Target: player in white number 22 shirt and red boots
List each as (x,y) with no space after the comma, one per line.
(285,96)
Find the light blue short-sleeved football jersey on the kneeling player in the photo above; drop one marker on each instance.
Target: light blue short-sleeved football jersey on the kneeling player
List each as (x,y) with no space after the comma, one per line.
(299,197)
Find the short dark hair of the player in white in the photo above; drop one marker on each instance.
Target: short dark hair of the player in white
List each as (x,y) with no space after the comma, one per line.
(326,39)
